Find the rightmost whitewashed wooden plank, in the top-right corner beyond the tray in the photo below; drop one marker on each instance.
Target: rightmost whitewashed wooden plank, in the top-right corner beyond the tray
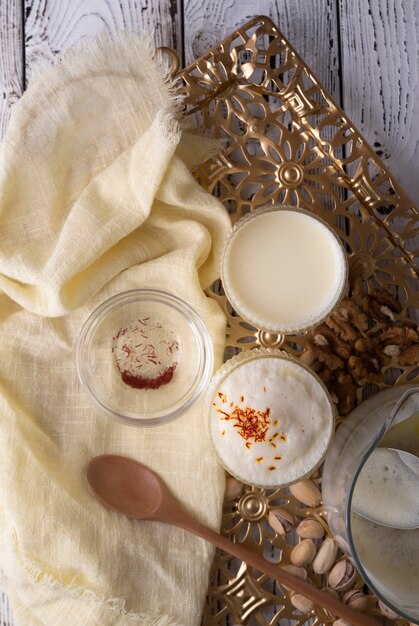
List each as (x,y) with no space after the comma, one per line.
(380,80)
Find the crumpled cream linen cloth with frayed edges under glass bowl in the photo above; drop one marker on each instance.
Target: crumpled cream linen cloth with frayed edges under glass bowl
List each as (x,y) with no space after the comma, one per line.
(95,199)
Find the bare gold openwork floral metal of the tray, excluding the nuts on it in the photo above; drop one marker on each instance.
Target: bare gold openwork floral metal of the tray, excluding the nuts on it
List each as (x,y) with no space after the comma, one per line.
(287,142)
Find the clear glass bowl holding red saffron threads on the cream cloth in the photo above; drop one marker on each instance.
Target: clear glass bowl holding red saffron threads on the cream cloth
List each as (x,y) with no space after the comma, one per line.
(145,357)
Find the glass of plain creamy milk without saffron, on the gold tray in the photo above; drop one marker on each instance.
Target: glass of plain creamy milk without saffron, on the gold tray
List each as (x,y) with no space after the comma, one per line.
(283,269)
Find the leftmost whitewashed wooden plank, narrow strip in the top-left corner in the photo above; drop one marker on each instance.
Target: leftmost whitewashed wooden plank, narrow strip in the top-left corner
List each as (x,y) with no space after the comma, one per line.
(11,58)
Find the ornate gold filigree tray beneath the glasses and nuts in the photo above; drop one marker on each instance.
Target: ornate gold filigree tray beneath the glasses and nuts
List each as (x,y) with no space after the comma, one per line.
(286,141)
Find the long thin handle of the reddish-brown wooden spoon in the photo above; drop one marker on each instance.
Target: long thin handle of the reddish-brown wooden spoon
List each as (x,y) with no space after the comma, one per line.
(320,598)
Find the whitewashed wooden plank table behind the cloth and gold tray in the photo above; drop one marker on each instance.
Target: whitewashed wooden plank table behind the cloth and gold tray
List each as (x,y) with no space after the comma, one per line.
(365,52)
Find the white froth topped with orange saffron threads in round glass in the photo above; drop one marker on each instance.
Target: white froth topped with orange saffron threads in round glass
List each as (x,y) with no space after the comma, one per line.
(295,421)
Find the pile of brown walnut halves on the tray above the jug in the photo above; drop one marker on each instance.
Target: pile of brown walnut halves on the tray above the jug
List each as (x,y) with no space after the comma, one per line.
(357,342)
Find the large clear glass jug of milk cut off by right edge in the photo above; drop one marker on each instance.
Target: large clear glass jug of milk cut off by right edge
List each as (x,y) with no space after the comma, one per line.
(387,558)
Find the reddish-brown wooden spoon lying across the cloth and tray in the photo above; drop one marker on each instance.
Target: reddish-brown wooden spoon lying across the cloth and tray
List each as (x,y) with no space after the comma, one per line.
(134,490)
